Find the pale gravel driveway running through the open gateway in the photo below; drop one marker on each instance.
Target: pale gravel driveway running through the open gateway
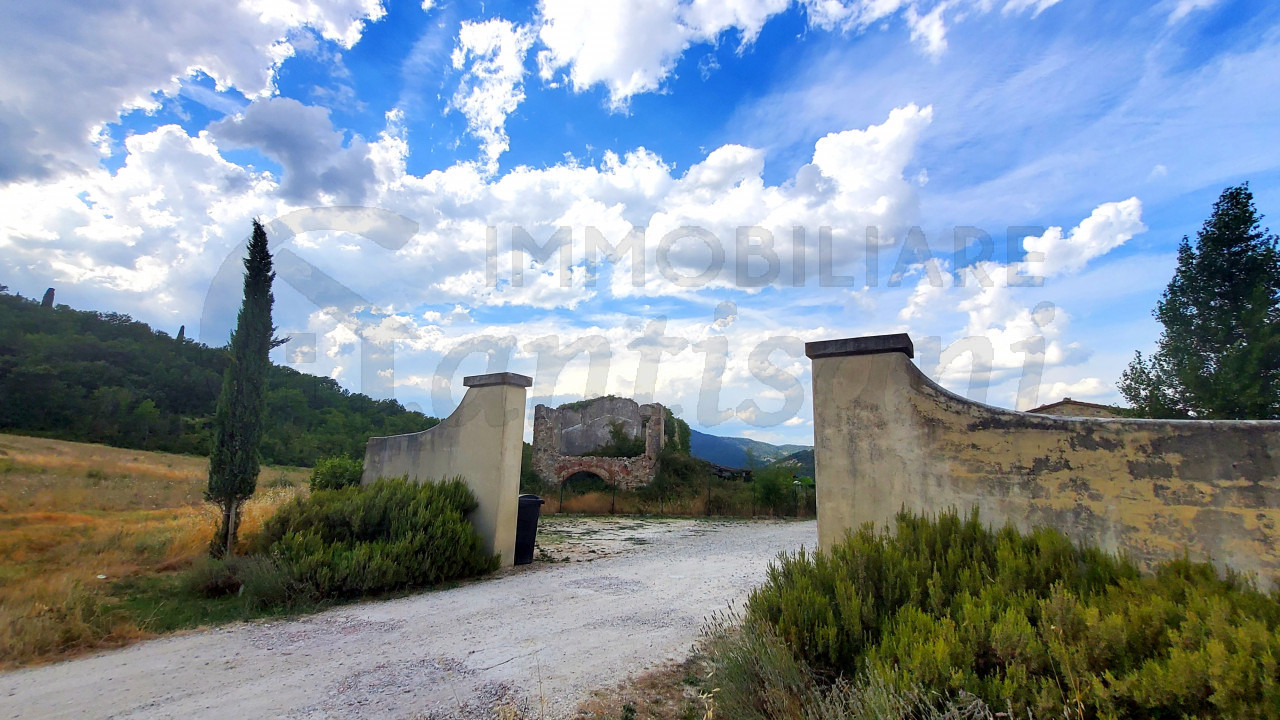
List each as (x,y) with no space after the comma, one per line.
(632,595)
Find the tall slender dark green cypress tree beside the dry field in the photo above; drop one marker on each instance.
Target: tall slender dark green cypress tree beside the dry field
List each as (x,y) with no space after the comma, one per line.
(234,463)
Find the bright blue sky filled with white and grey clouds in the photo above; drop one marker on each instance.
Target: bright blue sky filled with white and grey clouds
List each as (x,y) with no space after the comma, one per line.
(661,199)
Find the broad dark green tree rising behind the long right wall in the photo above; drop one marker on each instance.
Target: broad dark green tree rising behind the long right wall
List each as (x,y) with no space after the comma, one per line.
(1219,356)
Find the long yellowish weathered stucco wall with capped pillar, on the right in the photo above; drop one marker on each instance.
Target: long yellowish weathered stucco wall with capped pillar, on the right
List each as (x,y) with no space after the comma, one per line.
(888,438)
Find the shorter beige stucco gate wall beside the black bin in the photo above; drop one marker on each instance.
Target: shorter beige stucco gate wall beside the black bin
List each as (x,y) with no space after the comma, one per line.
(479,441)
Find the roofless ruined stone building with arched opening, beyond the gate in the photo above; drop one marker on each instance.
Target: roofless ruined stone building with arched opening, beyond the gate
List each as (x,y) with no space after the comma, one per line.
(566,436)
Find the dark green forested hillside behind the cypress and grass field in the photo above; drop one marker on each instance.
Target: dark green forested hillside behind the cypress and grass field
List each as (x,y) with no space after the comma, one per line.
(103,377)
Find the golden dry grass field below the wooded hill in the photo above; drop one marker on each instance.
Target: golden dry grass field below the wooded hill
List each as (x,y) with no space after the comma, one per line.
(92,540)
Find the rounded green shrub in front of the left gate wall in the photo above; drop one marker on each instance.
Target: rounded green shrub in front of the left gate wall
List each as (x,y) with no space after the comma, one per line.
(390,535)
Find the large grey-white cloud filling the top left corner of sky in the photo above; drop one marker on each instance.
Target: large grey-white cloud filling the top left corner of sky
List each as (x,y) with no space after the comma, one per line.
(72,67)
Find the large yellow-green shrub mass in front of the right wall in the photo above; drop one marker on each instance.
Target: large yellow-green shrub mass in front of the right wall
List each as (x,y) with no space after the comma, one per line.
(1027,622)
